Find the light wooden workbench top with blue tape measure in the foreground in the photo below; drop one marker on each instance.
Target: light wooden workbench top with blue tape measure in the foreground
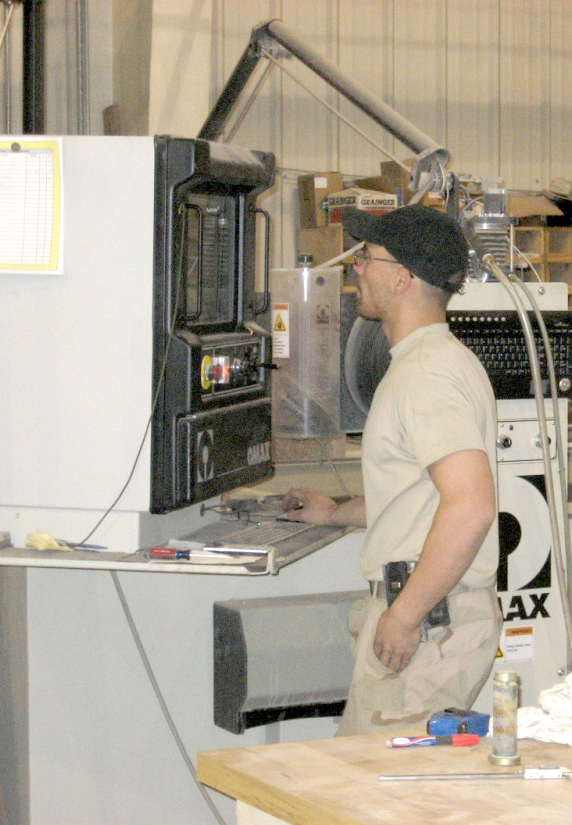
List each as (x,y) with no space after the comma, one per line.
(335,782)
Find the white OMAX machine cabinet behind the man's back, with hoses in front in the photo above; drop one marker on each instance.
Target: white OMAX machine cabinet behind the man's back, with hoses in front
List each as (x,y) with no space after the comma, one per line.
(533,641)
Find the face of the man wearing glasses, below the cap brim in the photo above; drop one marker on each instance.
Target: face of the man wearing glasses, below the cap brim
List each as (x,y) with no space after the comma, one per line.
(375,281)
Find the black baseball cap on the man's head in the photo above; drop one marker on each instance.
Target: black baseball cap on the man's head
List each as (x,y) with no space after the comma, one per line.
(429,243)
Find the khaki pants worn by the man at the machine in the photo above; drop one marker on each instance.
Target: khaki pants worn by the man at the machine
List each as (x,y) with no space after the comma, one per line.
(448,670)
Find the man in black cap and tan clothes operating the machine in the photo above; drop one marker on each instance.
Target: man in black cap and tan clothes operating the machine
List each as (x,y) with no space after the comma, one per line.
(429,475)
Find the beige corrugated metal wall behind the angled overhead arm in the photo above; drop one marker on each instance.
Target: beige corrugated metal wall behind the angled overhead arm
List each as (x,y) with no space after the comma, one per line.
(489,79)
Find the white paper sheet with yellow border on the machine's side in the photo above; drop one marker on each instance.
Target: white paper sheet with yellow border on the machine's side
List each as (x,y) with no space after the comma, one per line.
(31,194)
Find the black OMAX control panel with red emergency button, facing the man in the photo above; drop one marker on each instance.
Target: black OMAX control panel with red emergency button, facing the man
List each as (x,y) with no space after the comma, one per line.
(212,418)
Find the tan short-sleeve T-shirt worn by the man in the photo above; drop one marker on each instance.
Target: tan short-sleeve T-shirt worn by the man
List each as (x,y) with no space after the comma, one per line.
(435,399)
